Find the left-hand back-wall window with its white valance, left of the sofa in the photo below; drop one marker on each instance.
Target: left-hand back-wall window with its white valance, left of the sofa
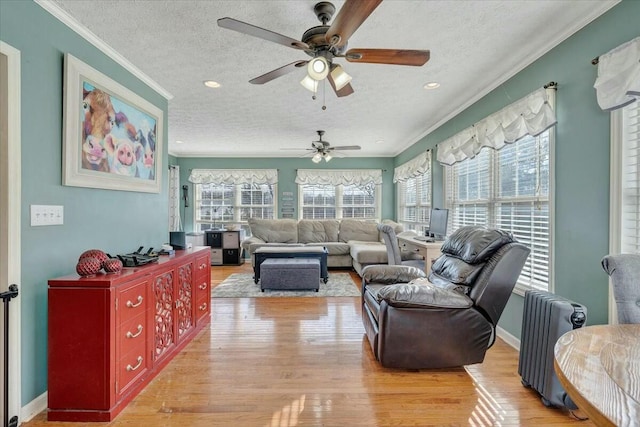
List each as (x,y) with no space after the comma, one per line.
(232,197)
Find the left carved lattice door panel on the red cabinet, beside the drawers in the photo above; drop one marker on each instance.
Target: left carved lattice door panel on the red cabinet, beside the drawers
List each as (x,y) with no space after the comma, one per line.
(163,291)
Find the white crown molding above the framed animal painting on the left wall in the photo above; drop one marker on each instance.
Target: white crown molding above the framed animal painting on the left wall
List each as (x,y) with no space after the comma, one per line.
(96,41)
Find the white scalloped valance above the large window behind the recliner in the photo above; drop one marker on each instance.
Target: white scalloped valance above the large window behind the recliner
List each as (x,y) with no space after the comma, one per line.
(530,115)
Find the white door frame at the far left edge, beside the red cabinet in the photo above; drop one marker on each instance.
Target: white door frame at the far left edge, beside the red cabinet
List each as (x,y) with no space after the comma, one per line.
(11,220)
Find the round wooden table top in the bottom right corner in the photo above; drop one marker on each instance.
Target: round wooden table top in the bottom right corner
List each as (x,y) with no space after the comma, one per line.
(599,367)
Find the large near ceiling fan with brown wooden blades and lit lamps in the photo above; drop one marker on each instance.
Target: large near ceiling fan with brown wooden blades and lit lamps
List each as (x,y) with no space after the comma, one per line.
(326,42)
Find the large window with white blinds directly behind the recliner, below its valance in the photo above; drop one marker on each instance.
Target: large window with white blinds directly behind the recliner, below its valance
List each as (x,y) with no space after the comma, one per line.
(508,189)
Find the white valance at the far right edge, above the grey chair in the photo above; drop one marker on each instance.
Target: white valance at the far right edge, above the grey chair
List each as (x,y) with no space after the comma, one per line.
(618,82)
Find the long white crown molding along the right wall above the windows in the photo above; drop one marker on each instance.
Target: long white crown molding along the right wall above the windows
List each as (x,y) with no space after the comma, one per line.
(601,8)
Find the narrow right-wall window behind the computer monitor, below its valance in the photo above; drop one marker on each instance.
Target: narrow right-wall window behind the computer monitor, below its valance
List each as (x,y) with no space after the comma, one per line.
(414,202)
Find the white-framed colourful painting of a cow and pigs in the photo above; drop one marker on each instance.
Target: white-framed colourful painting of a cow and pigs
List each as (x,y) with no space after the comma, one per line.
(112,136)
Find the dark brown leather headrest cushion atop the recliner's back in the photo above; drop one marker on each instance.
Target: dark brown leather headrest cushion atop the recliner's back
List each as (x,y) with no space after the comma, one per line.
(474,244)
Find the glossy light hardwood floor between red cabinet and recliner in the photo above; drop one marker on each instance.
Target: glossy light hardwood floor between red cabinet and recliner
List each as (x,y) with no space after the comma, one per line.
(305,362)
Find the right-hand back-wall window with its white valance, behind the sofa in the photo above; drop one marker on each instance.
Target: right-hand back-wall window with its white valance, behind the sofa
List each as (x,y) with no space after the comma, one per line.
(339,194)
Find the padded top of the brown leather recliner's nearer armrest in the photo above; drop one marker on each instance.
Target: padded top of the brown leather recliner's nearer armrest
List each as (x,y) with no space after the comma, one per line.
(406,295)
